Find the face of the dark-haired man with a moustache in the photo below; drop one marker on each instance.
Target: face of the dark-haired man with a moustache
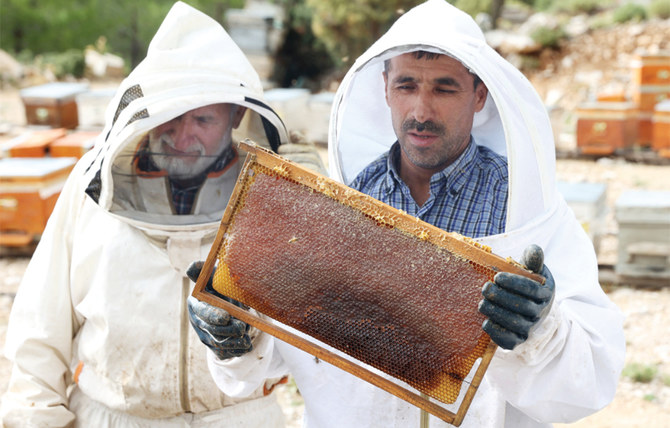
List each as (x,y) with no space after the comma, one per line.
(432,103)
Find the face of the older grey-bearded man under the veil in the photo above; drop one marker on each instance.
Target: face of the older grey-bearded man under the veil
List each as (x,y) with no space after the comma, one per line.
(188,144)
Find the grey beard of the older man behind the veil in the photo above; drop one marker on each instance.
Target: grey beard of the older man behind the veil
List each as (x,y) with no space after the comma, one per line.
(188,165)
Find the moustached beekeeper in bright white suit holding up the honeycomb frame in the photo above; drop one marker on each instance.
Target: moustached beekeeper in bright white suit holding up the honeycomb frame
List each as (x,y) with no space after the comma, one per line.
(433,121)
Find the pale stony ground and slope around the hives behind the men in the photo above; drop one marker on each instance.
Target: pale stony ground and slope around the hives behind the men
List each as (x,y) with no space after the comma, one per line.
(593,63)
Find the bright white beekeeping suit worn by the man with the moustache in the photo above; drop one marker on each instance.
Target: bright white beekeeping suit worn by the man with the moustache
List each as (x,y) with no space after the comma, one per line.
(569,366)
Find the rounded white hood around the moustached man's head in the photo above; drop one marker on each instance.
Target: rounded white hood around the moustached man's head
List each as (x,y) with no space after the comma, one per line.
(512,123)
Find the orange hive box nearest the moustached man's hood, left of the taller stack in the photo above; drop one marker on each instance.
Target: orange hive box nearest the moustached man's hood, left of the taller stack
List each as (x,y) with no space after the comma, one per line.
(604,128)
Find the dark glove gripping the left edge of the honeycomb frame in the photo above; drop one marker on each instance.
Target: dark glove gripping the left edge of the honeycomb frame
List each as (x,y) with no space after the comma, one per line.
(225,335)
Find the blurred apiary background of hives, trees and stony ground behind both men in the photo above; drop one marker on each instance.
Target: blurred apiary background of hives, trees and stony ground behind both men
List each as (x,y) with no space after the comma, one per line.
(602,69)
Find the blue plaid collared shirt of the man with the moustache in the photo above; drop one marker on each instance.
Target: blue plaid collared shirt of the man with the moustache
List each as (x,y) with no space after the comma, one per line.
(467,197)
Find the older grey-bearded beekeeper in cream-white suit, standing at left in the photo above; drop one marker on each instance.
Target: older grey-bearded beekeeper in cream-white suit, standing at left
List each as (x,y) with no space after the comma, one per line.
(99,333)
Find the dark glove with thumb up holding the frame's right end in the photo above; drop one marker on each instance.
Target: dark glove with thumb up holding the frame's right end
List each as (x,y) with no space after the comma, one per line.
(515,304)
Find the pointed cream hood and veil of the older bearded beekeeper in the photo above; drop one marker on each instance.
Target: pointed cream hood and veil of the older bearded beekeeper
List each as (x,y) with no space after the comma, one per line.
(191,63)
